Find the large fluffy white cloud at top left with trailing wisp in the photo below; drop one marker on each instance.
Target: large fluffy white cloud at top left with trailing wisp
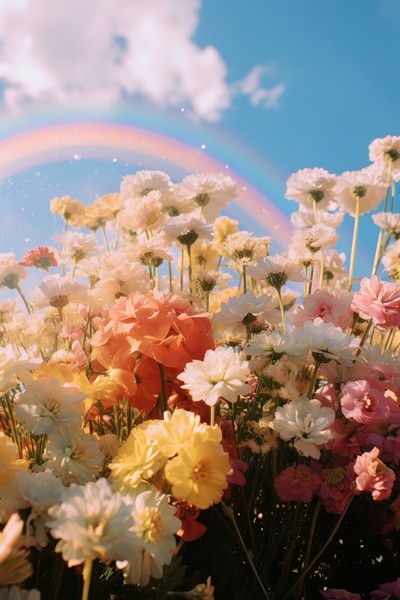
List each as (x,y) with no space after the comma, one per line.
(97,52)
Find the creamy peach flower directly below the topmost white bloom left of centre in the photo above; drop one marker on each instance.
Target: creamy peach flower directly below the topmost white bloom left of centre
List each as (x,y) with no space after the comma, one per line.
(142,213)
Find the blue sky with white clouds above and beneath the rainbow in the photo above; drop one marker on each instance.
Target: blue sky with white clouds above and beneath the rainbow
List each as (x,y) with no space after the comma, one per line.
(282,85)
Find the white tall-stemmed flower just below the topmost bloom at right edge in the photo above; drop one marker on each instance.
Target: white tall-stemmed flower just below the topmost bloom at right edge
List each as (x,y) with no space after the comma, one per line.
(364,186)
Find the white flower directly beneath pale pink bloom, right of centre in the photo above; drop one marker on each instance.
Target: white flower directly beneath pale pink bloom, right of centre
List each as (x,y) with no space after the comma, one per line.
(327,342)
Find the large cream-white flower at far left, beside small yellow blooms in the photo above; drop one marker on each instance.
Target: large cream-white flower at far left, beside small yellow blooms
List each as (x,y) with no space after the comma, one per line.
(47,406)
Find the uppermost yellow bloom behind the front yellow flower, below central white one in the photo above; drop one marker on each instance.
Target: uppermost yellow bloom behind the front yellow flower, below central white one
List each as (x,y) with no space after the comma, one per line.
(177,430)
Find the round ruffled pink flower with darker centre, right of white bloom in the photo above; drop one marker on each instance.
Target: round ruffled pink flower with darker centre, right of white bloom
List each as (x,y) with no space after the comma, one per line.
(363,403)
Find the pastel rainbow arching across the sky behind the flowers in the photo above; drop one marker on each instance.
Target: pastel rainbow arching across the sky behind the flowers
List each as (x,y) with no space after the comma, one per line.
(114,141)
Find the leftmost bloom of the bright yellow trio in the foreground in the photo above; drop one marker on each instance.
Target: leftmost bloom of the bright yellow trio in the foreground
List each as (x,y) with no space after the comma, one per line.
(138,459)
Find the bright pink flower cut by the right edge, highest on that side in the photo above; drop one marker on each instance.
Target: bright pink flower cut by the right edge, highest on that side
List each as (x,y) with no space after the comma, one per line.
(378,300)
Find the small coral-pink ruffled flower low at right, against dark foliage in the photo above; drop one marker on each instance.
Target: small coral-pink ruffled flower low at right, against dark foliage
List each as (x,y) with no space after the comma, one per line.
(373,475)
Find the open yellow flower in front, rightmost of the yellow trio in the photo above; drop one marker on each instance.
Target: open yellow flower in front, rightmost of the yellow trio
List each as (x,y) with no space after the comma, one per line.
(199,473)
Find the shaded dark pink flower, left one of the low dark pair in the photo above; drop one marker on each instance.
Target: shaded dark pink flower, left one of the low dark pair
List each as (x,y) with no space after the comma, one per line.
(297,484)
